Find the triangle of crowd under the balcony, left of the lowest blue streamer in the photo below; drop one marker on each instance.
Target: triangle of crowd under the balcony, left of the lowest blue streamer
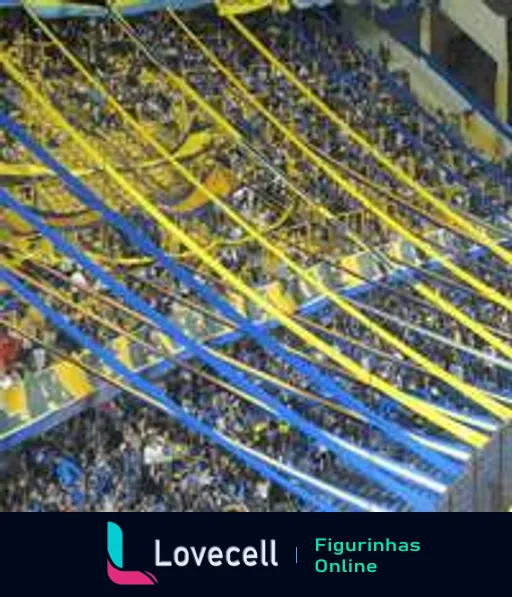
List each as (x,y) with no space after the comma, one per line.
(125,457)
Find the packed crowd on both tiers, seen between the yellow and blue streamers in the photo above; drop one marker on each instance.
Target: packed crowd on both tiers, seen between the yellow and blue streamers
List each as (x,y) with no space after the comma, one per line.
(125,457)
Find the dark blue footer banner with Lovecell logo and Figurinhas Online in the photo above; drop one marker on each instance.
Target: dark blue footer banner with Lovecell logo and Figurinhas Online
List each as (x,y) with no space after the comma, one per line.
(222,554)
